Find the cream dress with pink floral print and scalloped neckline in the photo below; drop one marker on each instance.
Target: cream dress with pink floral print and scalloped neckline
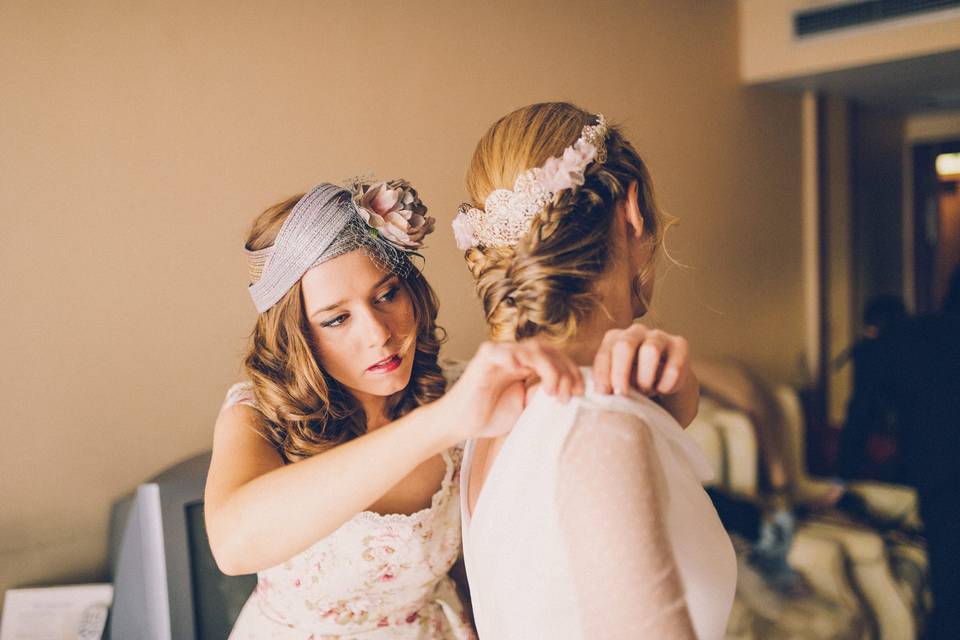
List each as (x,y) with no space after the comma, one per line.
(374,578)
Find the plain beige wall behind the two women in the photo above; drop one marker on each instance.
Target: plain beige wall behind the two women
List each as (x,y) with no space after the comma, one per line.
(137,141)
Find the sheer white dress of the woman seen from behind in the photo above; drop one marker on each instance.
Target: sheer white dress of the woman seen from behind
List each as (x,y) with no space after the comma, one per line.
(593,524)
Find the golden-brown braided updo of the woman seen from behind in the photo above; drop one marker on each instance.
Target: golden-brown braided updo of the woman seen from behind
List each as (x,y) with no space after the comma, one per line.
(544,284)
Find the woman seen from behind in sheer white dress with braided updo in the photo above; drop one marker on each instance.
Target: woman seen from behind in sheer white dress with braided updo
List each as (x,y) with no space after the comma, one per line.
(588,519)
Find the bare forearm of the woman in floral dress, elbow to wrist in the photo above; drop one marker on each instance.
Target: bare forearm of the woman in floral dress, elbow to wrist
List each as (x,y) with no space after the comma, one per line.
(282,512)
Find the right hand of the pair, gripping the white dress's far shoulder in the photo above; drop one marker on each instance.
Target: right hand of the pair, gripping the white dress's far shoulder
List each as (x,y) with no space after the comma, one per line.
(652,361)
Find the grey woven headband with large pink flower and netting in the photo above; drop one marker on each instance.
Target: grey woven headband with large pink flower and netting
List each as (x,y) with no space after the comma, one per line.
(385,219)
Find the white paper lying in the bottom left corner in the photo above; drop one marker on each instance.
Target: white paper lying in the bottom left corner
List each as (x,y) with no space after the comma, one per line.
(50,613)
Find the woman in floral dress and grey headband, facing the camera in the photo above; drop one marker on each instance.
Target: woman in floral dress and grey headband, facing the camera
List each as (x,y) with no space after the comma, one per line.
(356,538)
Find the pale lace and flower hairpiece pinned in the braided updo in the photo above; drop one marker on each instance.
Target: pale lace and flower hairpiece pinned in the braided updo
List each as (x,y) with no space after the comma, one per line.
(506,215)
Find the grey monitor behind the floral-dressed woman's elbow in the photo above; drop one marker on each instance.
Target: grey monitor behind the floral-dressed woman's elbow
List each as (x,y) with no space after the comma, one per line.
(166,583)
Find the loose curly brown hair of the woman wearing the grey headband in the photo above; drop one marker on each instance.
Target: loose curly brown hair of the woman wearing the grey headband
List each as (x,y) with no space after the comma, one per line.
(302,409)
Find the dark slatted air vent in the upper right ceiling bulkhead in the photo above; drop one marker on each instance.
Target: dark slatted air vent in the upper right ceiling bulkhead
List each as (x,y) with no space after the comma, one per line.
(864,12)
